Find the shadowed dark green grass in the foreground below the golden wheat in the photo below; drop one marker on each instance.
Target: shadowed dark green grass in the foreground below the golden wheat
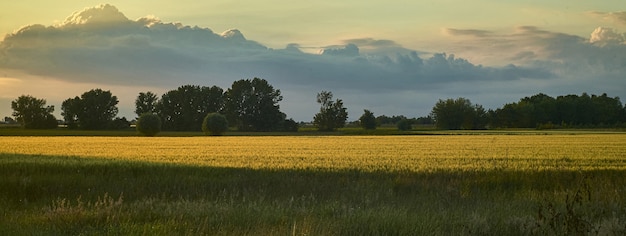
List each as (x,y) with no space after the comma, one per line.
(56,195)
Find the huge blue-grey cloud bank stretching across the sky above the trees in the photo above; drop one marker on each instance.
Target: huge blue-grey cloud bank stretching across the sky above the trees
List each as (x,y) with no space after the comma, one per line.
(100,46)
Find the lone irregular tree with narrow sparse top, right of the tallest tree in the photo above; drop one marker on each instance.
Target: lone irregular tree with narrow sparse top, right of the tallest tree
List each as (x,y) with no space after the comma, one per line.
(332,114)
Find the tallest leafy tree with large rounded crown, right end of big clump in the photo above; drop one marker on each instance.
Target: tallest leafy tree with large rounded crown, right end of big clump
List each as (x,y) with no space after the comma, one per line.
(253,105)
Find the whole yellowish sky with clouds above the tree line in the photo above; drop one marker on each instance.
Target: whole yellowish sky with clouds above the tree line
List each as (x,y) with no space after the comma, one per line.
(393,57)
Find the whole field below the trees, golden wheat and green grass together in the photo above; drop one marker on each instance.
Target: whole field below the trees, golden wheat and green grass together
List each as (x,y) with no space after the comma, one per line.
(508,183)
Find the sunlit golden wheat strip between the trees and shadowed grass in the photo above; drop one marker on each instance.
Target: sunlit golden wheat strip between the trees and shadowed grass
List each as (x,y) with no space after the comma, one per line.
(367,153)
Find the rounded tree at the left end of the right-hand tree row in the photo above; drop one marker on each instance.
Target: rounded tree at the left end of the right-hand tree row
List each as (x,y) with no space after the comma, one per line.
(458,114)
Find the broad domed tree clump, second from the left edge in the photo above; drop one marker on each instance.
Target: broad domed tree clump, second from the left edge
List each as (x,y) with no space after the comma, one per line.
(94,109)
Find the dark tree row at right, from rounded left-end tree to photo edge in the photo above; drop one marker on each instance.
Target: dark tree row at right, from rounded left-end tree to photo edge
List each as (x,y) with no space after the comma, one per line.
(538,111)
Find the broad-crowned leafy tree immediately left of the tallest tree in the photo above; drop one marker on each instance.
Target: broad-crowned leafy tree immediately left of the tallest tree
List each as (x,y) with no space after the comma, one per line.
(184,109)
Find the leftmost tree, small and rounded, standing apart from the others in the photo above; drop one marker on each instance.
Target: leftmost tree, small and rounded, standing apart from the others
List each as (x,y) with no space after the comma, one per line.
(32,113)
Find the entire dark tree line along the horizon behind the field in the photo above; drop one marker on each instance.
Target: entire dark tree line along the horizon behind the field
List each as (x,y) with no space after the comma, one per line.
(252,105)
